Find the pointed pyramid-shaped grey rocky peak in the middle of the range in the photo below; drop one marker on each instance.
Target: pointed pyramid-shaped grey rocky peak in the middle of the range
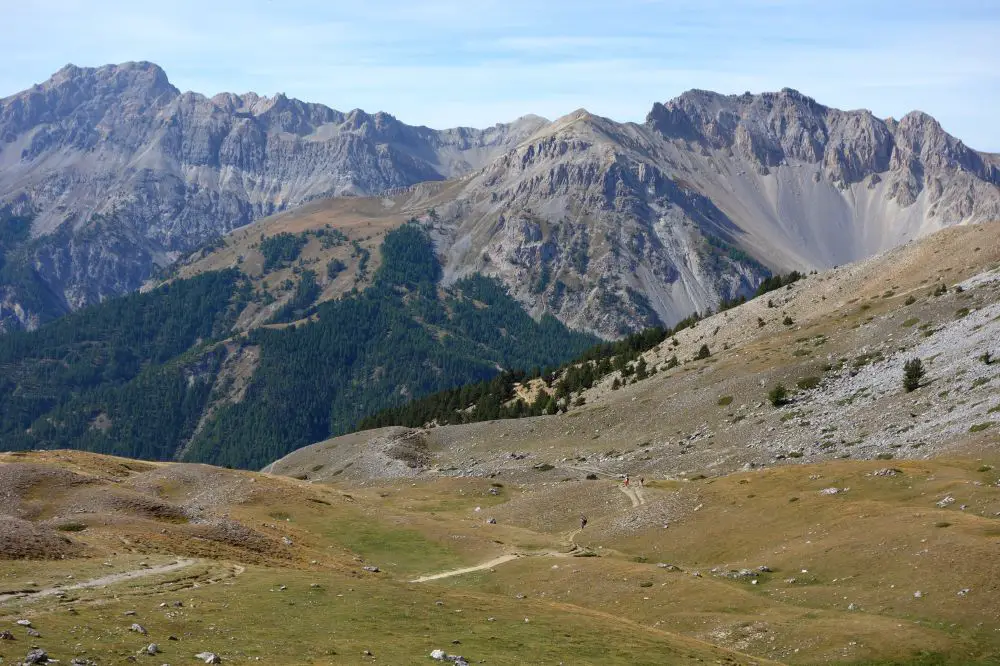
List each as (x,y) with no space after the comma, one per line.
(579,222)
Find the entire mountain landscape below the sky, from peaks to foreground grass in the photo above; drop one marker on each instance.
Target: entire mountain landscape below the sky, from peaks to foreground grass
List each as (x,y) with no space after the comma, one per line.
(718,388)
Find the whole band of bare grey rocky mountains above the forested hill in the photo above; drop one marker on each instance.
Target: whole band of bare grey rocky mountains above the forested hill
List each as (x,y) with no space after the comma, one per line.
(608,226)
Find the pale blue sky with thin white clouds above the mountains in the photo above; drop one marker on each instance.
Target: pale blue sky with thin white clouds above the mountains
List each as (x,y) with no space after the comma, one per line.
(444,63)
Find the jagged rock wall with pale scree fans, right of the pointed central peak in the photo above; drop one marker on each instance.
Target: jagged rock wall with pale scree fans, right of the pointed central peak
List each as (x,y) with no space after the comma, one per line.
(849,183)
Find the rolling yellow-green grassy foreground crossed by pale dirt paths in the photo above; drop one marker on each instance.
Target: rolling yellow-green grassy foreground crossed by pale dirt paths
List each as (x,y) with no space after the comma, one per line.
(758,567)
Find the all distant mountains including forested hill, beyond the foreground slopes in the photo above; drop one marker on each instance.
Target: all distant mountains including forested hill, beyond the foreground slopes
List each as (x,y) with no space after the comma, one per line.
(227,279)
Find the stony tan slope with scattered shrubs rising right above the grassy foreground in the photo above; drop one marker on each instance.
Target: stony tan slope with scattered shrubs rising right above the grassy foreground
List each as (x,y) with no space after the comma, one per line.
(836,340)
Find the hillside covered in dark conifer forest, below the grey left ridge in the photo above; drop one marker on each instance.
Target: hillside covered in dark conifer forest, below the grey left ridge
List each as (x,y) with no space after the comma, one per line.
(168,374)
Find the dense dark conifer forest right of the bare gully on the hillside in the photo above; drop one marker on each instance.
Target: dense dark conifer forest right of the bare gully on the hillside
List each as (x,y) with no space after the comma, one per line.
(401,338)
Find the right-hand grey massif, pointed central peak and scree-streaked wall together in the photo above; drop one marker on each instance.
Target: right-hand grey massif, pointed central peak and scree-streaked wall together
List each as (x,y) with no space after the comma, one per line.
(612,227)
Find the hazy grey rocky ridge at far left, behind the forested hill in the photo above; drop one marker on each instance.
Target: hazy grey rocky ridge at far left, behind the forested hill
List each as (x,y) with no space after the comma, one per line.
(124,173)
